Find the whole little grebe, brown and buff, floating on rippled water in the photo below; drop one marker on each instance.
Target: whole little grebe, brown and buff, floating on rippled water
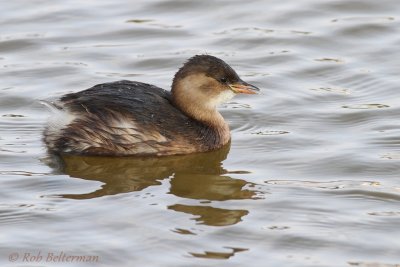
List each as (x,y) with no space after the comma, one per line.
(133,118)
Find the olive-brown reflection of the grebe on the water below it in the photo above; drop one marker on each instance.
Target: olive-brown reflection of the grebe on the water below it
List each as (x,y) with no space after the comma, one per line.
(194,176)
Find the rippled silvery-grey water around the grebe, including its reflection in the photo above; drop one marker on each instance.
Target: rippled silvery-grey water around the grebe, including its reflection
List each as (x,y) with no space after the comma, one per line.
(312,177)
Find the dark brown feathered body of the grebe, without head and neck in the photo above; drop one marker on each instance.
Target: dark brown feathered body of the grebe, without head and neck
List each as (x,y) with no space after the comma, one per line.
(126,118)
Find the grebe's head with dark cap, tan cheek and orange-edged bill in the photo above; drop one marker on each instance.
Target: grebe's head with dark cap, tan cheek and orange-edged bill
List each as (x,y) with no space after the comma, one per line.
(204,82)
